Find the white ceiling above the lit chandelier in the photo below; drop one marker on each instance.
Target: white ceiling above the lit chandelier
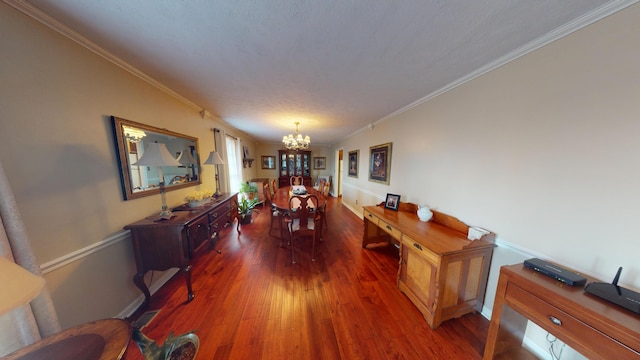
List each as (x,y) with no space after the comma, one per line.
(336,66)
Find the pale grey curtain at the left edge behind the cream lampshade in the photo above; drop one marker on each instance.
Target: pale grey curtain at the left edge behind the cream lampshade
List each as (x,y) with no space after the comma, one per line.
(37,320)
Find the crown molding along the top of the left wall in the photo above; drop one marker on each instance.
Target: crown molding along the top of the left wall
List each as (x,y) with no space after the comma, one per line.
(33,12)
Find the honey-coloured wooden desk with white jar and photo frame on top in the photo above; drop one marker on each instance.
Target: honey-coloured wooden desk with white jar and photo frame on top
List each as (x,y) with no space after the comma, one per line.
(442,272)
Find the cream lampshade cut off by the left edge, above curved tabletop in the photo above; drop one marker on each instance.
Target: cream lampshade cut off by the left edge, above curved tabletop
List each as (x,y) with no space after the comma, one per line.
(19,286)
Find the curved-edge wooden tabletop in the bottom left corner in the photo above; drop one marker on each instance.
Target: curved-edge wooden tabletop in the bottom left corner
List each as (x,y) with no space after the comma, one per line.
(105,339)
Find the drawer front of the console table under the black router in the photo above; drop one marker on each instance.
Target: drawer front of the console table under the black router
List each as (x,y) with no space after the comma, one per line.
(568,329)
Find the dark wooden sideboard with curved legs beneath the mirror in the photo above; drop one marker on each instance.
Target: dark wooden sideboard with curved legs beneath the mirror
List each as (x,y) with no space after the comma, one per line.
(161,245)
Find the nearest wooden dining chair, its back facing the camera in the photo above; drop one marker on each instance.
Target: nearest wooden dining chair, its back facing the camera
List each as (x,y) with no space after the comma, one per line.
(303,219)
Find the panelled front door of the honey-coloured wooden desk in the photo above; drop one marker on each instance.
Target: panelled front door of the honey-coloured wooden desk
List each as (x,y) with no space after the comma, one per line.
(418,275)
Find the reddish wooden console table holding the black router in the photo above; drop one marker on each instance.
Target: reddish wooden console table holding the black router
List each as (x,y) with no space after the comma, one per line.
(591,326)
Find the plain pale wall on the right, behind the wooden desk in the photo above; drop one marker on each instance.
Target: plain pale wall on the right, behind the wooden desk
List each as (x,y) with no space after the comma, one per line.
(544,151)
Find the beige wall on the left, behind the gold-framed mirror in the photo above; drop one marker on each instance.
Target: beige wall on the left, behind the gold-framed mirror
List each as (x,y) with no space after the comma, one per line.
(57,149)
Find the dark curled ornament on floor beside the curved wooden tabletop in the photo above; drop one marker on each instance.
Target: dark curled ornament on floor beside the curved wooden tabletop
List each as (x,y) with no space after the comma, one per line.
(181,347)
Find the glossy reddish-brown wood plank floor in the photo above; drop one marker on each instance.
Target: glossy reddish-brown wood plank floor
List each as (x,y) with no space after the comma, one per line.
(251,302)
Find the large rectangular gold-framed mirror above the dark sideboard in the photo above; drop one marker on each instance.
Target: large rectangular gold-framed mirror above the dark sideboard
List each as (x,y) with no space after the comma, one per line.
(139,181)
